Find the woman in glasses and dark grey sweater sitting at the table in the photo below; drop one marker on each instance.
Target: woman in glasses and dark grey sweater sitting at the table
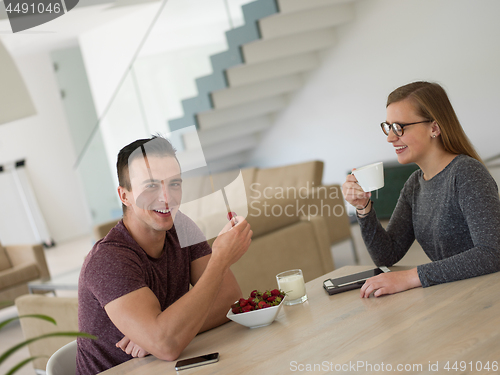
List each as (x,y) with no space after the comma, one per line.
(450,206)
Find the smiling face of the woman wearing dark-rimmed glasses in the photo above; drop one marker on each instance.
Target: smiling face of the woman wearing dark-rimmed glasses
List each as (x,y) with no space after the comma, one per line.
(415,145)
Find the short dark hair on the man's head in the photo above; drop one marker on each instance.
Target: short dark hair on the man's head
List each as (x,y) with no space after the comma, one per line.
(156,145)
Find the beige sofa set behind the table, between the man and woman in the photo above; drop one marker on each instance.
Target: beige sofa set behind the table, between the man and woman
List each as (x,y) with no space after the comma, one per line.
(295,219)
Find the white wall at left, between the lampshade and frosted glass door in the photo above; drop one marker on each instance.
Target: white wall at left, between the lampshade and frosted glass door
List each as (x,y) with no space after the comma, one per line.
(44,141)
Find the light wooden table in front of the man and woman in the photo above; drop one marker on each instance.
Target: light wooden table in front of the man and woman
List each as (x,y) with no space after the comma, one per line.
(455,325)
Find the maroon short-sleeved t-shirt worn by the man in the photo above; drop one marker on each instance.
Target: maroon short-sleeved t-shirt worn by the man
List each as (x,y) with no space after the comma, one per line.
(116,266)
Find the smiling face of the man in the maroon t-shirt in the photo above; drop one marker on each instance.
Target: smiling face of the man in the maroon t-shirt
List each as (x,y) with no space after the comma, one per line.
(155,195)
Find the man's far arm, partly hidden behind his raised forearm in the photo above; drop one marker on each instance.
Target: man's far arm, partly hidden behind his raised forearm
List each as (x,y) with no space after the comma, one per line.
(229,292)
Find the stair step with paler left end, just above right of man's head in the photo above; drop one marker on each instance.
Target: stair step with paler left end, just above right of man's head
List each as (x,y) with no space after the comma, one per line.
(222,134)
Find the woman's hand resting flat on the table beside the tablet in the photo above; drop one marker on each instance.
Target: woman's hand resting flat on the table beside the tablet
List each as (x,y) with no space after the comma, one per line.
(390,283)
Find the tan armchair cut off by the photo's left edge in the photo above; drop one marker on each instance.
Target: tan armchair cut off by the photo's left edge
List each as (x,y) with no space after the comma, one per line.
(19,265)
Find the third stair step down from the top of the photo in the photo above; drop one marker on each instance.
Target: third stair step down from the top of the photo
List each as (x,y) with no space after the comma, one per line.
(270,49)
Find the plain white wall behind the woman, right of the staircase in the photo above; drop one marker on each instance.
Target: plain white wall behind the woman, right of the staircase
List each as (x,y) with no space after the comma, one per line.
(336,116)
